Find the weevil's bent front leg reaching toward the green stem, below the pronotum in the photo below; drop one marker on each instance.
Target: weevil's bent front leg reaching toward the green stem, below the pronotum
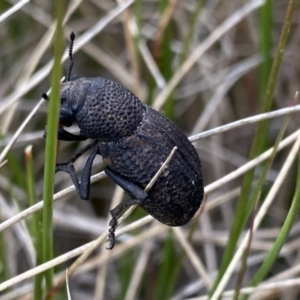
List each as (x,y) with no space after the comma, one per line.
(82,187)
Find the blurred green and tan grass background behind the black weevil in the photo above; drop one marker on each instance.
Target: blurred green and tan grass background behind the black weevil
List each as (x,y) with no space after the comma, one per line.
(144,48)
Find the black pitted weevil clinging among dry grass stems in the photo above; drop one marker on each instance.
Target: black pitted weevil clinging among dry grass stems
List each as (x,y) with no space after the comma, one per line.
(134,140)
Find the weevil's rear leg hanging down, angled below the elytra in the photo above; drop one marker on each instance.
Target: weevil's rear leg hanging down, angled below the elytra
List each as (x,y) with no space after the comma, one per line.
(138,197)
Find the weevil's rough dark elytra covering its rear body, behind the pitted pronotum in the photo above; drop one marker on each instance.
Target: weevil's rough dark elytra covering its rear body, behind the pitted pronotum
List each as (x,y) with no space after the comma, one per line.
(178,192)
